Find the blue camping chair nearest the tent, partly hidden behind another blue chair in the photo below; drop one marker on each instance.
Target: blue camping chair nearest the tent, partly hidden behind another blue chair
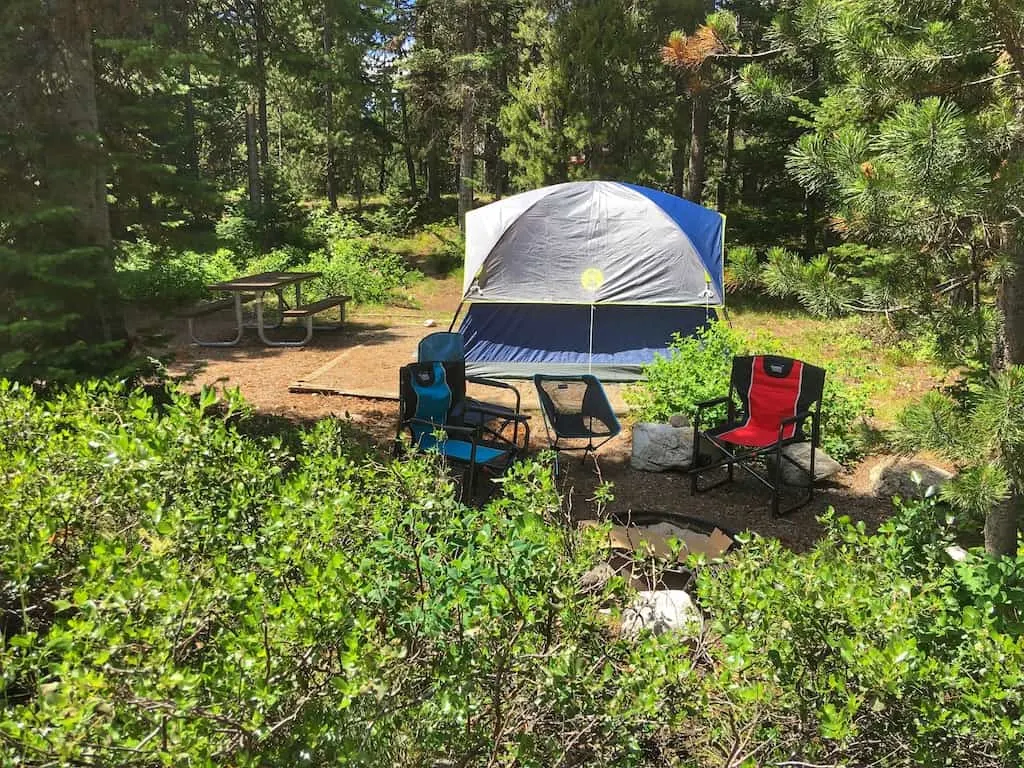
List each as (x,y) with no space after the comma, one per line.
(494,419)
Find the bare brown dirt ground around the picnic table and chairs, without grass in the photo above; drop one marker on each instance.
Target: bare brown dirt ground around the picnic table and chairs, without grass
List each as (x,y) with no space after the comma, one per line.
(385,339)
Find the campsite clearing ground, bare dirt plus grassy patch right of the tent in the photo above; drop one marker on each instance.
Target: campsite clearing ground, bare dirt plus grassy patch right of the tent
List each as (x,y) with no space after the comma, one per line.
(265,375)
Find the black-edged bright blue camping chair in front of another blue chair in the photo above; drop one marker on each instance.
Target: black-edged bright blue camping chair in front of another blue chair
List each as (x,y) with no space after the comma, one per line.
(425,414)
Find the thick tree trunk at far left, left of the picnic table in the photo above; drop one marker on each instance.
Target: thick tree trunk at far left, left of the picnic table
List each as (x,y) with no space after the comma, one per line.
(82,186)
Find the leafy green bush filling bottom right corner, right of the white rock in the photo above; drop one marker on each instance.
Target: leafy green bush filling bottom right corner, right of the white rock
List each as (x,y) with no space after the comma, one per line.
(870,650)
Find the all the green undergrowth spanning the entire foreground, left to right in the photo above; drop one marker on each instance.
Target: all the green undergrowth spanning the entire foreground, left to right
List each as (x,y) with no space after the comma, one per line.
(182,585)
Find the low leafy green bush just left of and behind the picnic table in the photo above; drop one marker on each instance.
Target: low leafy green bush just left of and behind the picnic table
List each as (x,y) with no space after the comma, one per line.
(152,276)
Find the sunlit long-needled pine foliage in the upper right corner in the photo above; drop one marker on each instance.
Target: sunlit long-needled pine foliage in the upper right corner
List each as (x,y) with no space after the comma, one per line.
(918,147)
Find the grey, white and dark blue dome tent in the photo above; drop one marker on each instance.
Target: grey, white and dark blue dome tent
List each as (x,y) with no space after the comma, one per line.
(587,277)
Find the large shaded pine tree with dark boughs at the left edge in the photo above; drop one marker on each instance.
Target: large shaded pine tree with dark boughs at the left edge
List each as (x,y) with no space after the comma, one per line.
(60,317)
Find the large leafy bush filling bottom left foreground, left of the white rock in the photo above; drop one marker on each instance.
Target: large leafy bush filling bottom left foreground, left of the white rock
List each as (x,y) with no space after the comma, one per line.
(179,592)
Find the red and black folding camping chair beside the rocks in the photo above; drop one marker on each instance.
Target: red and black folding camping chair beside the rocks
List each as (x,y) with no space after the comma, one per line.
(780,405)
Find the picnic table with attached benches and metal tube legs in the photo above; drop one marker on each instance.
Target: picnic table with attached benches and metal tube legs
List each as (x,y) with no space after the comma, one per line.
(254,288)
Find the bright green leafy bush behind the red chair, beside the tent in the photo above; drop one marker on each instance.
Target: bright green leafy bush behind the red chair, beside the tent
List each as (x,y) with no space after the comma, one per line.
(699,369)
